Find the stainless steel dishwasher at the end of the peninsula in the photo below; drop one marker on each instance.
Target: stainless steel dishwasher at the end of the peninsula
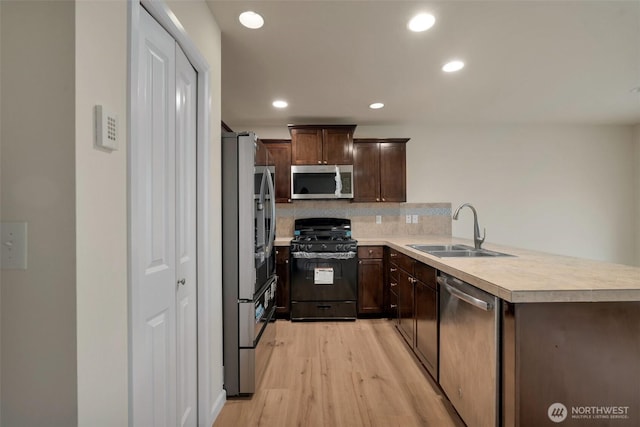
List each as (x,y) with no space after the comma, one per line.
(469,356)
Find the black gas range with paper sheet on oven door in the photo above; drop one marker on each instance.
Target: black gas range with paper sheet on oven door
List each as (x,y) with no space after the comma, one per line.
(324,270)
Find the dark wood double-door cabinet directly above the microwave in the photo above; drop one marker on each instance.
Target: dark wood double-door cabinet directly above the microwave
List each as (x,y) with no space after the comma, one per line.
(322,144)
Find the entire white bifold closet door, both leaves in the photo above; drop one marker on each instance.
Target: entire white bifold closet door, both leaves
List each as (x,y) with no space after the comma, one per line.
(163,230)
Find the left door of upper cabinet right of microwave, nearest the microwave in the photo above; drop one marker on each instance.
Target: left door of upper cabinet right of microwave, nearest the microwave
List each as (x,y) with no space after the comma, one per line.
(366,172)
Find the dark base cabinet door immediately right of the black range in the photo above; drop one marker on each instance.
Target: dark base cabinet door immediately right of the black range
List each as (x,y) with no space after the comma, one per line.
(370,286)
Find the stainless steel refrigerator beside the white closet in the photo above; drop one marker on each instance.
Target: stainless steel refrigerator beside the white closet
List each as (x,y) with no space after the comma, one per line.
(248,261)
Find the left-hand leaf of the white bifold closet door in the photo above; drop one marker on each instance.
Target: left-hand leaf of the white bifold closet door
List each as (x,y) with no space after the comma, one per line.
(153,231)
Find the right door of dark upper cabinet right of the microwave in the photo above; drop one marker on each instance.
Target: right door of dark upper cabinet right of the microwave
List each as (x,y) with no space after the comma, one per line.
(393,187)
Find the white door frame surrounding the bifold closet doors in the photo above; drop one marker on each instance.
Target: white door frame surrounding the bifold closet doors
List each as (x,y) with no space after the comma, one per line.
(207,409)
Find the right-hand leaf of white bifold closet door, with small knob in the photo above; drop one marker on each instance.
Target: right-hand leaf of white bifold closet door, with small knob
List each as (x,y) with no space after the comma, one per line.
(186,105)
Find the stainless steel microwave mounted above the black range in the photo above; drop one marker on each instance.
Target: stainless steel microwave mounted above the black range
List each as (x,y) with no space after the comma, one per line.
(322,182)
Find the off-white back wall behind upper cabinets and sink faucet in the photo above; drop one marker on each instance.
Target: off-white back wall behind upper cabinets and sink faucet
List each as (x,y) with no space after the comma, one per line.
(559,189)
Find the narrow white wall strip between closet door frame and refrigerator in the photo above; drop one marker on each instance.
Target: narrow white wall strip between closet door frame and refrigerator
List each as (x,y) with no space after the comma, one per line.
(200,25)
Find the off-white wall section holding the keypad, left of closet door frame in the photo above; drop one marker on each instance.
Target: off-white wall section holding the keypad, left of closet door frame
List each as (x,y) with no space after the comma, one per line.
(101,216)
